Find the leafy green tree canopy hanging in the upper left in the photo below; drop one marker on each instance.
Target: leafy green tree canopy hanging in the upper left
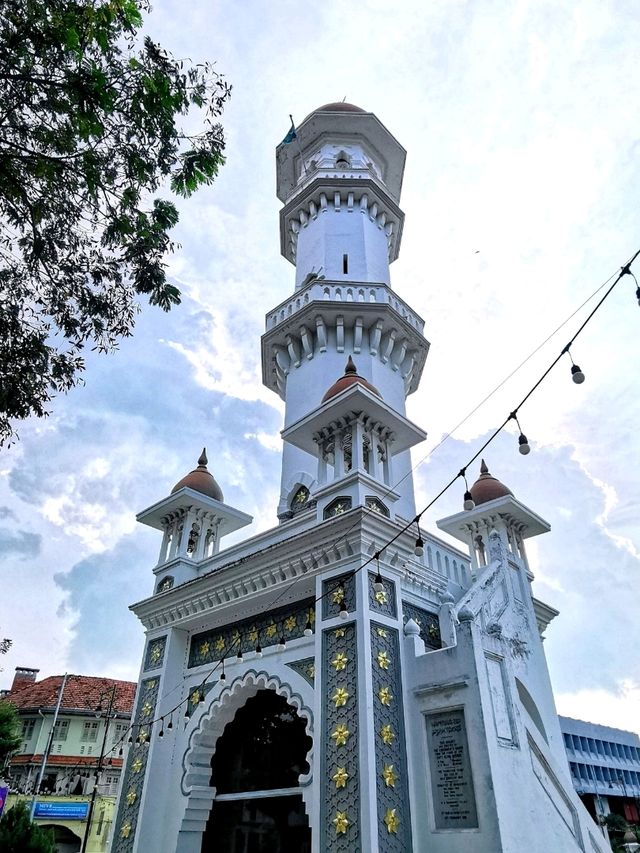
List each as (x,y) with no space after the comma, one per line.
(94,120)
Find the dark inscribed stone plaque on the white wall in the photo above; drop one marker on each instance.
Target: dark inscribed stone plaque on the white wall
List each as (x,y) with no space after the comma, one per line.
(454,801)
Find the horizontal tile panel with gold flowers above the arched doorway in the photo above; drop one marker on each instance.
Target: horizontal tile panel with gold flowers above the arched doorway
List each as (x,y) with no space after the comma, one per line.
(266,629)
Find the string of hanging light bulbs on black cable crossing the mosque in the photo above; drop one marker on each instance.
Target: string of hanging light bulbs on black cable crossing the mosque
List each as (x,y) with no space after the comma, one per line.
(196,695)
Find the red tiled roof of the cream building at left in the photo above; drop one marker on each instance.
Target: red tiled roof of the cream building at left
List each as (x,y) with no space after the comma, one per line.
(81,693)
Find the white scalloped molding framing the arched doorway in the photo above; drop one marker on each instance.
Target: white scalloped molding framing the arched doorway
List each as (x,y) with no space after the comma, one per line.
(196,762)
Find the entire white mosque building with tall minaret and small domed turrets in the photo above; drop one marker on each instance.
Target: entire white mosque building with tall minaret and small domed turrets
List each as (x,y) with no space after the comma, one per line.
(345,681)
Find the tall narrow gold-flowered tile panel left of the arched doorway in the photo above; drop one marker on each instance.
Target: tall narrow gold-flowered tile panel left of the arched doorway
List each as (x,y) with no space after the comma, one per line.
(134,774)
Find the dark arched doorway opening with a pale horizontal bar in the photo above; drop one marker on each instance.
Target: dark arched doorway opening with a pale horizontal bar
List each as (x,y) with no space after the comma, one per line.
(255,770)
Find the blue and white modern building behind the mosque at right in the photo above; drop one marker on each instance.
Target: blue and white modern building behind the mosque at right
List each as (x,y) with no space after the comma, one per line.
(605,767)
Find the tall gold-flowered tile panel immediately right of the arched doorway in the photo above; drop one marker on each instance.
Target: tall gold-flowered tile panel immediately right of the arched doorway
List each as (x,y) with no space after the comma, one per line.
(340,782)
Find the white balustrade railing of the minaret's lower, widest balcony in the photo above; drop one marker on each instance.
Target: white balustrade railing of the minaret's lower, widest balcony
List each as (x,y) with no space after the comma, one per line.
(358,292)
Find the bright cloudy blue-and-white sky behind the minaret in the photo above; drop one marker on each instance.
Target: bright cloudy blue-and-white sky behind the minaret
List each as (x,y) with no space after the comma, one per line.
(520,121)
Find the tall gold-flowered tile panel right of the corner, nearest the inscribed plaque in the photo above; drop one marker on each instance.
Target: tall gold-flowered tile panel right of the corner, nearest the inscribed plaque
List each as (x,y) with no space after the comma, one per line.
(394,818)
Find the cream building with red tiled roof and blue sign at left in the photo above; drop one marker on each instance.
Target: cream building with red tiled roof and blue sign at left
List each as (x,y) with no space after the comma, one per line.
(71,770)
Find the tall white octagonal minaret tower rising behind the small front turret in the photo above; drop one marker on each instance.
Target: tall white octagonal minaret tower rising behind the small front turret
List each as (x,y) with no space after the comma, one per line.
(340,182)
